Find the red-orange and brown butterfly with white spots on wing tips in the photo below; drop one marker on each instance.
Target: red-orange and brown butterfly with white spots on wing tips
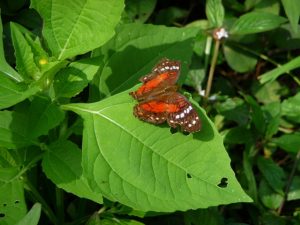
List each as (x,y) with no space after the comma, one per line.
(159,101)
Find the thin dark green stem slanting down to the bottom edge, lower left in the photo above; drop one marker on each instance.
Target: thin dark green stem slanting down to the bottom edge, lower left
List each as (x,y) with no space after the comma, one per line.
(45,207)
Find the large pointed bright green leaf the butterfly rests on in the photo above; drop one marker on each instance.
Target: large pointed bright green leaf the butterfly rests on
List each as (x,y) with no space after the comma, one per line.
(147,167)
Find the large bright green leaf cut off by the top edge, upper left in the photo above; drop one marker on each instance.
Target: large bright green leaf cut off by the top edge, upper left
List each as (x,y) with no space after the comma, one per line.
(73,28)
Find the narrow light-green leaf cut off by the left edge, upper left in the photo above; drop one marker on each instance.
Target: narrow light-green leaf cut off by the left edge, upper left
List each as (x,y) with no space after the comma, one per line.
(5,68)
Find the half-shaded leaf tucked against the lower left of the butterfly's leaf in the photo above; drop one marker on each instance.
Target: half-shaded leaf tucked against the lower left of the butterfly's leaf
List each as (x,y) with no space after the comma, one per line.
(62,165)
